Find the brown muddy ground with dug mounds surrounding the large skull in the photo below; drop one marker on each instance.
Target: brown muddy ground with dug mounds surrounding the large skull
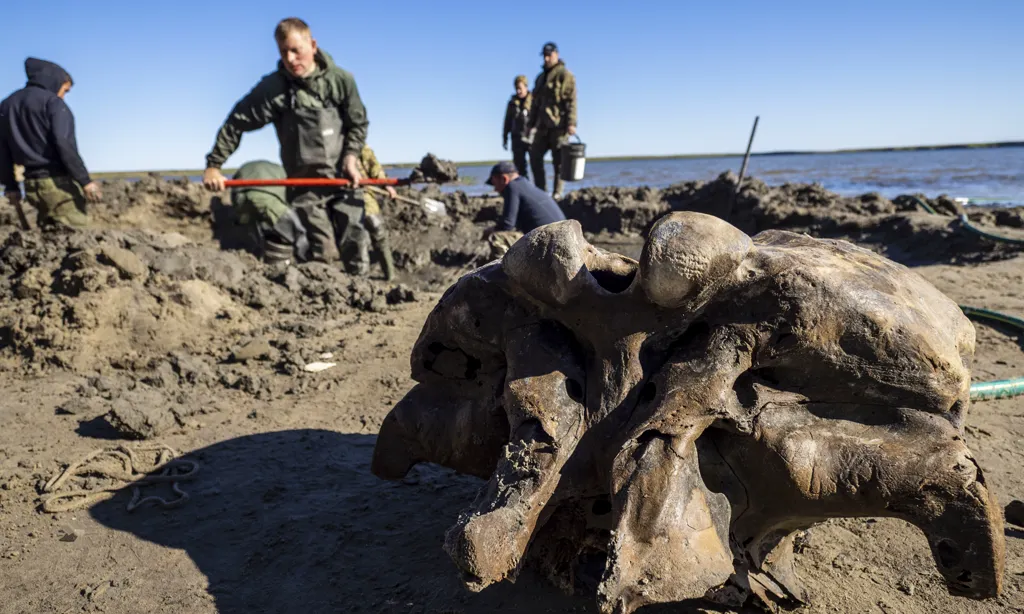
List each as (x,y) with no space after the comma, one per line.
(159,326)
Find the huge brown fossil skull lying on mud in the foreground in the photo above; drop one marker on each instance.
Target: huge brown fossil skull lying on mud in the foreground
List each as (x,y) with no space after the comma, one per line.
(680,419)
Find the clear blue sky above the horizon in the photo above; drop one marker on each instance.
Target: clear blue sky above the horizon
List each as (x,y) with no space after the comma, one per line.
(155,80)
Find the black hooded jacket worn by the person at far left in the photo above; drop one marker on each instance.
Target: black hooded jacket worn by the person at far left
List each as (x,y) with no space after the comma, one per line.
(37,129)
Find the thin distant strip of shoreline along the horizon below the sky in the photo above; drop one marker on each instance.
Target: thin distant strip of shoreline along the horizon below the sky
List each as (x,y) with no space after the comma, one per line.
(480,163)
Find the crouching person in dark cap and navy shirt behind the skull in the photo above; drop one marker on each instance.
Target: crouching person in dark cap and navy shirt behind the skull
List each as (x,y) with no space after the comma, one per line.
(527,207)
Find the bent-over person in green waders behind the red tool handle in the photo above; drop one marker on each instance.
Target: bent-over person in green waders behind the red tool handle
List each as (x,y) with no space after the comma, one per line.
(276,227)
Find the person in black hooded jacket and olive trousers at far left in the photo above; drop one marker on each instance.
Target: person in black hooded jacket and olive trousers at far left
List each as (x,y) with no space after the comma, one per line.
(37,131)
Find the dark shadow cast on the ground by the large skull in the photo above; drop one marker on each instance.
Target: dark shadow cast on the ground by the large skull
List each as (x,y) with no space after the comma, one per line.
(294,522)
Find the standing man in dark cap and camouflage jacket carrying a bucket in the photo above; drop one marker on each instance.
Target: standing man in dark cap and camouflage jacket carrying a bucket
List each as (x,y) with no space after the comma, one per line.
(552,117)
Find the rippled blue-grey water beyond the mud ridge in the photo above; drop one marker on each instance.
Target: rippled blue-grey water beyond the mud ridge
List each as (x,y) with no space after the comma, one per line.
(990,176)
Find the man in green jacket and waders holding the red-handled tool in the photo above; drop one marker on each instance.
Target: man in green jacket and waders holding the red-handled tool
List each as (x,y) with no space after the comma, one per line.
(322,126)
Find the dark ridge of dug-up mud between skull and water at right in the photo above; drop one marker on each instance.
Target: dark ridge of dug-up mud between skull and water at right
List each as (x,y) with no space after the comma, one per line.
(899,229)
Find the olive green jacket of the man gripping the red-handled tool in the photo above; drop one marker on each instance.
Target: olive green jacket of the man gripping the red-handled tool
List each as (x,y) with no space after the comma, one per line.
(266,104)
